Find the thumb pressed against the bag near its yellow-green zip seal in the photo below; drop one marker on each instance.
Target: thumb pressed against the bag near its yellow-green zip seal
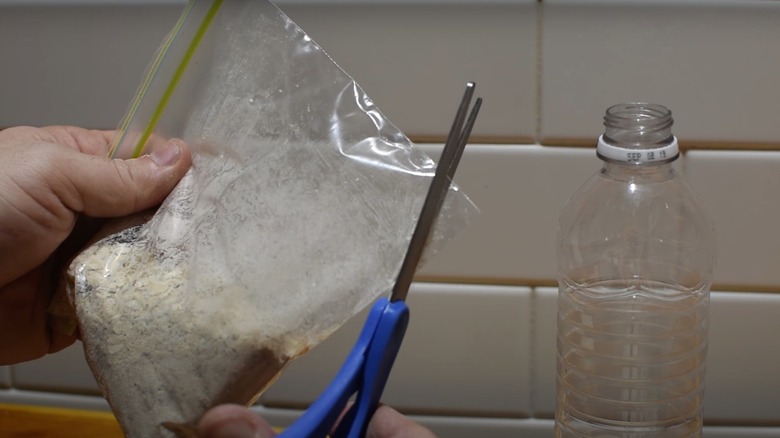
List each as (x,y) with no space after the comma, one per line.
(101,187)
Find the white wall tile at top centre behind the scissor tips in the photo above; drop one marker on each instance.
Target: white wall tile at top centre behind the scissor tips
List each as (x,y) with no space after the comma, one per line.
(414,60)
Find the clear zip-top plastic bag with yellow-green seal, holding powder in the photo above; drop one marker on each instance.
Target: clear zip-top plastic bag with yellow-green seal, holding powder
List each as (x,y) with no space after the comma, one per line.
(295,215)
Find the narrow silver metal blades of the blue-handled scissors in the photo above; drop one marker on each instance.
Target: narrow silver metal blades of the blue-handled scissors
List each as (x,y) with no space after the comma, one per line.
(445,170)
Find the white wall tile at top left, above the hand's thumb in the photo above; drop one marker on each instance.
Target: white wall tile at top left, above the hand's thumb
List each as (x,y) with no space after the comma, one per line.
(76,65)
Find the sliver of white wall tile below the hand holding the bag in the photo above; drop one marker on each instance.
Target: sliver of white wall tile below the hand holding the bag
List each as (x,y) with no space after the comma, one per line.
(65,371)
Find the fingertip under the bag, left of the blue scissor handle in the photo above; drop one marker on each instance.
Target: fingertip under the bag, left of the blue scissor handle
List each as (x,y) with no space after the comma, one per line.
(233,421)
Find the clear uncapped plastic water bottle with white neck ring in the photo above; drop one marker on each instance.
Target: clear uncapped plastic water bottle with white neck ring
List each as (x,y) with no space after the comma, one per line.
(636,253)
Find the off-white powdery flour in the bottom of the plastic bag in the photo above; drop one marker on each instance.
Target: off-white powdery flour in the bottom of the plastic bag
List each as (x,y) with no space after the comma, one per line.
(155,354)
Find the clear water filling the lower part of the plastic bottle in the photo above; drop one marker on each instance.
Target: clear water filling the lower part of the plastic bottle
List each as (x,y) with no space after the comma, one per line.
(631,359)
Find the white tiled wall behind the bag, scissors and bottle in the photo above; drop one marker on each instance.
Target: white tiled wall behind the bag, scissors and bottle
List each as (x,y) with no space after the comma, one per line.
(479,358)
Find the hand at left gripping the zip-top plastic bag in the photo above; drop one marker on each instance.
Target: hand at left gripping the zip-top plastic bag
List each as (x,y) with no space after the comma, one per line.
(49,177)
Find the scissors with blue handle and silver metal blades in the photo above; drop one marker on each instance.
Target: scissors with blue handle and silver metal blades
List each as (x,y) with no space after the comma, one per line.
(366,369)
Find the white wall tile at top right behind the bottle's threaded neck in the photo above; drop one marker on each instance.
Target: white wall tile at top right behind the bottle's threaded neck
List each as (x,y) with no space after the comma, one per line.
(714,63)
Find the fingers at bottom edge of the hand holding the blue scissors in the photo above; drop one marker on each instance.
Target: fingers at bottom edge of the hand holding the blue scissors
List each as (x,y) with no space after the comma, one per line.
(233,421)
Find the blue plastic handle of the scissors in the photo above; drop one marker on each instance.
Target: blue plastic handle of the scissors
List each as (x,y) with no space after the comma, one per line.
(365,371)
